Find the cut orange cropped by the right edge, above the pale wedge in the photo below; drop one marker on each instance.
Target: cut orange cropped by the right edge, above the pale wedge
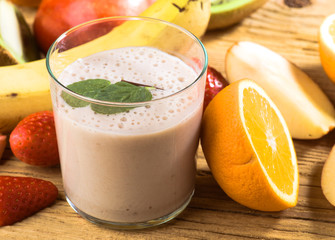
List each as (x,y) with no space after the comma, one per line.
(327,46)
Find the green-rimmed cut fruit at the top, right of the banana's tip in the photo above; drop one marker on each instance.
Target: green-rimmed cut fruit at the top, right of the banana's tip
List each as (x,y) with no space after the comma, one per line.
(225,13)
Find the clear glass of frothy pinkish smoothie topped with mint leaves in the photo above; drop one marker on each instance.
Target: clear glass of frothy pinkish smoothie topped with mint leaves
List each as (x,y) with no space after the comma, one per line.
(127,96)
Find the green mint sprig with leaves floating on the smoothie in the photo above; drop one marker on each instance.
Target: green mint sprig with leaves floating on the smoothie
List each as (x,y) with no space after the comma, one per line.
(102,89)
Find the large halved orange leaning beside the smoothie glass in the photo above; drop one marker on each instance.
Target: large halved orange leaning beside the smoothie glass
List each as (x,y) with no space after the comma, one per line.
(249,149)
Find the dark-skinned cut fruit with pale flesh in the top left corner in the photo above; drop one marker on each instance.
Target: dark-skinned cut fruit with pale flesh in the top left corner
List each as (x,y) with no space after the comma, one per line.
(17,44)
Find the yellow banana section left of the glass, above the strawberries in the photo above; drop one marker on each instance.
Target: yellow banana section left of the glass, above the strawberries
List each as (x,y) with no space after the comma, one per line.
(24,90)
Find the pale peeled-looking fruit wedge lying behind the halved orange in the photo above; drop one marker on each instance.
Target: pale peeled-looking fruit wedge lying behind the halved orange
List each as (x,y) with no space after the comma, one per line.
(306,109)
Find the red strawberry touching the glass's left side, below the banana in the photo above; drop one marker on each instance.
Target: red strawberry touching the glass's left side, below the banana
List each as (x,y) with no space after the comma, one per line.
(33,140)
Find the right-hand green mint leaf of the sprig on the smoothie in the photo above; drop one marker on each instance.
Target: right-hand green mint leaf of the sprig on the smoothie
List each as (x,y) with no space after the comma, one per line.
(122,92)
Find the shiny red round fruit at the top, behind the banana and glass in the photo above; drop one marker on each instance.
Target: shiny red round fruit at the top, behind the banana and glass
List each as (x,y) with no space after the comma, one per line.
(55,17)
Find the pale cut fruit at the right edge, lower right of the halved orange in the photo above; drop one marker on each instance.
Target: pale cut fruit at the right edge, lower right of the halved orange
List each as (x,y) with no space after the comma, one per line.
(328,177)
